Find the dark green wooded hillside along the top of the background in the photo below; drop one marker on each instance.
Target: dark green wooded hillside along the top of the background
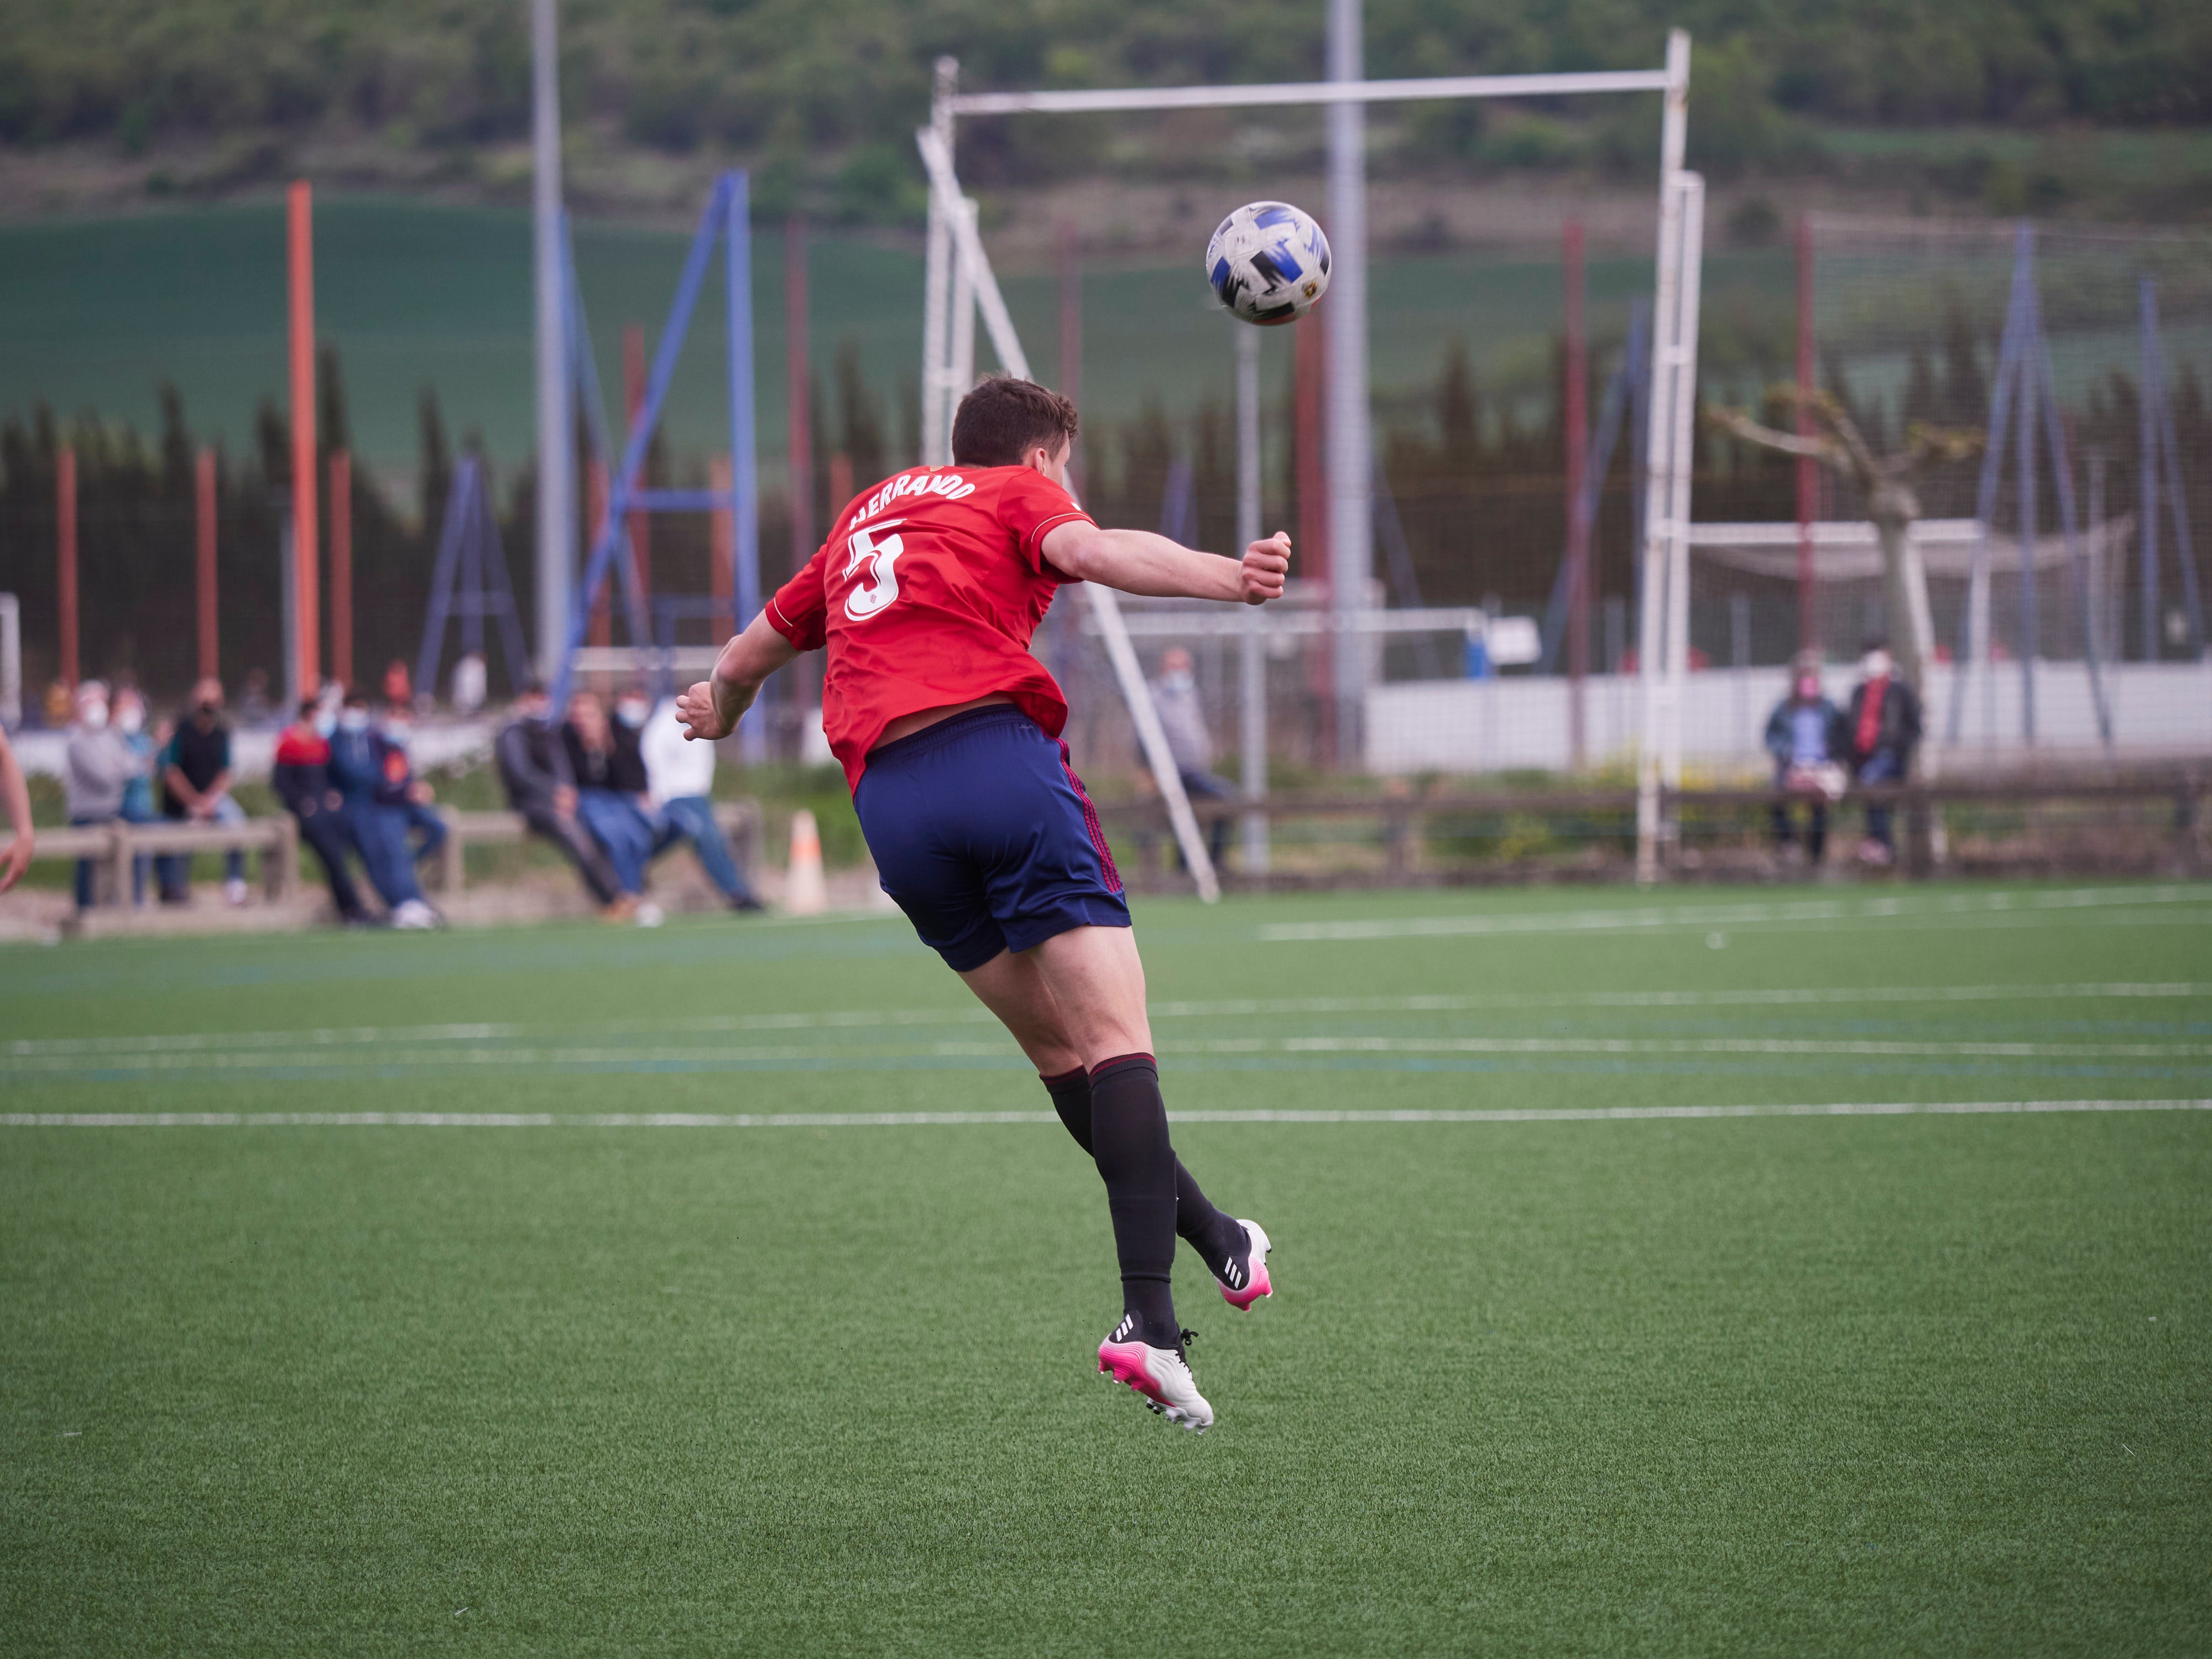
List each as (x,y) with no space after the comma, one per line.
(822,96)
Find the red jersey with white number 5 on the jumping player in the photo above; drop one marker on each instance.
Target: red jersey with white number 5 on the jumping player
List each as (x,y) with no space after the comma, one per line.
(928,594)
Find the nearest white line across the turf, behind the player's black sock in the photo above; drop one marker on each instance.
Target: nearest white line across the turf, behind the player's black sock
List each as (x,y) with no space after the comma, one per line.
(939,1120)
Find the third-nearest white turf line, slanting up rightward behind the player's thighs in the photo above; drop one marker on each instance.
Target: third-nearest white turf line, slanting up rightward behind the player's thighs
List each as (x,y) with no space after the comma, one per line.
(1220,1010)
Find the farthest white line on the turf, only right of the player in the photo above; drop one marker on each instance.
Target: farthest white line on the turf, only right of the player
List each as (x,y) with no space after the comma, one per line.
(1811,910)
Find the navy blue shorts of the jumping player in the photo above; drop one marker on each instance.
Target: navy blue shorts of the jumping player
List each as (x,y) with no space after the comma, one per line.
(985,837)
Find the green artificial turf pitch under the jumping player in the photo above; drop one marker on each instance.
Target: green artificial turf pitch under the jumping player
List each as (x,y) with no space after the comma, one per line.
(1762,1384)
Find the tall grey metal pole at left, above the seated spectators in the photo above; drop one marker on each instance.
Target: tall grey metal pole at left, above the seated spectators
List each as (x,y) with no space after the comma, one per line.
(556,421)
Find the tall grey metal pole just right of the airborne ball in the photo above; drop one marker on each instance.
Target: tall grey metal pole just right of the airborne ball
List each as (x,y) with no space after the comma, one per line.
(1350,479)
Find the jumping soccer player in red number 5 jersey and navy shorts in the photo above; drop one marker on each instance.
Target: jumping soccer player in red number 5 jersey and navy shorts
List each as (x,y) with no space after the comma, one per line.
(926,598)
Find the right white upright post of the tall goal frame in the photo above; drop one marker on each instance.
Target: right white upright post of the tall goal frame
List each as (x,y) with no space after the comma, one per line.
(1660,452)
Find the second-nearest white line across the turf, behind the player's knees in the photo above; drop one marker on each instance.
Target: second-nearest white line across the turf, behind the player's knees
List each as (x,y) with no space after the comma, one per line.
(1005,1052)
